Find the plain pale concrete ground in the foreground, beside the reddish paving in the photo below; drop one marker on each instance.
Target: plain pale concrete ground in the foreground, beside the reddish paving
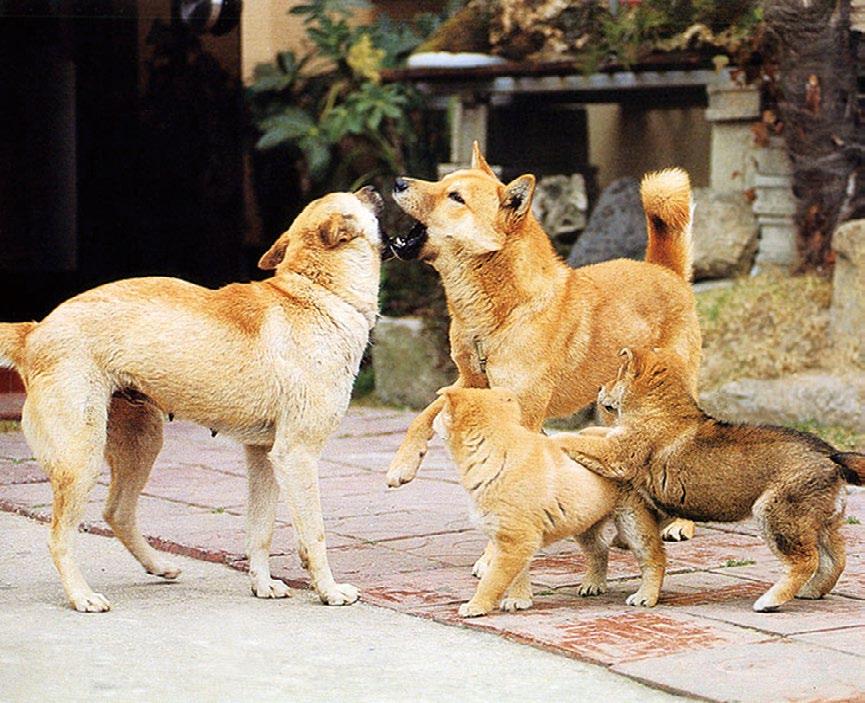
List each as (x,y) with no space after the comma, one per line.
(205,638)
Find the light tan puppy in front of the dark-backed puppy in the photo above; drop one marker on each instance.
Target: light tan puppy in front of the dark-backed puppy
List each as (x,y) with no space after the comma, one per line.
(528,494)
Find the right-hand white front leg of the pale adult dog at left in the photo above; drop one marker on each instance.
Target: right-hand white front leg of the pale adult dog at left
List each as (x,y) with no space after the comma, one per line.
(296,469)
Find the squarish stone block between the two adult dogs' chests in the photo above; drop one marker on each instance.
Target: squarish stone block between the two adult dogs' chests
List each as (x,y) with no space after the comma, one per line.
(409,361)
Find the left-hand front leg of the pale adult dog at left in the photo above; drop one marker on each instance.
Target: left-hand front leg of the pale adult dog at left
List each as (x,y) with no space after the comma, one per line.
(260,517)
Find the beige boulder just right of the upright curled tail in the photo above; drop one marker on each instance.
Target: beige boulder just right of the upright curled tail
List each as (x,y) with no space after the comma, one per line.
(725,234)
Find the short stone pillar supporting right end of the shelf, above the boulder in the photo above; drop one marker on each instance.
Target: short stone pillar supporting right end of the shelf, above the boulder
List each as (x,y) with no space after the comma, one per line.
(732,109)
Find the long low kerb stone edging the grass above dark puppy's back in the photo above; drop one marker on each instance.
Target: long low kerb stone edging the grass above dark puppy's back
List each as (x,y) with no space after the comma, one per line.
(820,397)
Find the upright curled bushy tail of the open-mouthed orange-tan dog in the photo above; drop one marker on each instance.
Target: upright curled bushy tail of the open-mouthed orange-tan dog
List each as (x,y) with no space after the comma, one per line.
(666,199)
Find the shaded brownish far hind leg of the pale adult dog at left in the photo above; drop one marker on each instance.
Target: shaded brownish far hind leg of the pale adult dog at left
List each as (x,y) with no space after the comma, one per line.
(134,441)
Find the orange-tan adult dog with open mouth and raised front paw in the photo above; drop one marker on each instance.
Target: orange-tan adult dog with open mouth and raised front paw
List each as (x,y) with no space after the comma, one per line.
(521,318)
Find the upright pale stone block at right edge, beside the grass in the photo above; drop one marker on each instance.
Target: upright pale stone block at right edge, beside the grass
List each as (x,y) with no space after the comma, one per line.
(847,326)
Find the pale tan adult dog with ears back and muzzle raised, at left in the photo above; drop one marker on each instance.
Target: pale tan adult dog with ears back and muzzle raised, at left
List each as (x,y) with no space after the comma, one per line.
(270,364)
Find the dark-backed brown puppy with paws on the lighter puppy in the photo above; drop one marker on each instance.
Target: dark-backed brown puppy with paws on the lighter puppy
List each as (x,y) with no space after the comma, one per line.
(691,465)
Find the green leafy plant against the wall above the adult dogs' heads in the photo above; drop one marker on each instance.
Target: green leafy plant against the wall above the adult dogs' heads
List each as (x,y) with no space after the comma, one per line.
(343,124)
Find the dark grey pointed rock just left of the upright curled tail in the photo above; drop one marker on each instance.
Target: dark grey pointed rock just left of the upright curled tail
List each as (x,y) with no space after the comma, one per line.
(616,228)
